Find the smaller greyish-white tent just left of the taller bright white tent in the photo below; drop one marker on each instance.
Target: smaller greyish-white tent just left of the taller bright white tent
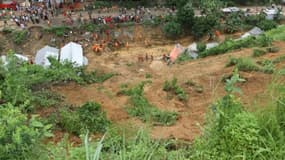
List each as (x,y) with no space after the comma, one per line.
(43,54)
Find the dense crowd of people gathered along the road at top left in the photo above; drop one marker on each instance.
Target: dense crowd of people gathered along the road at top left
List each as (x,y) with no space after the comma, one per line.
(41,13)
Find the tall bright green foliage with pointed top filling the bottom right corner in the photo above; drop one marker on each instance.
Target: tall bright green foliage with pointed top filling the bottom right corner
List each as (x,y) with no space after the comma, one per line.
(233,132)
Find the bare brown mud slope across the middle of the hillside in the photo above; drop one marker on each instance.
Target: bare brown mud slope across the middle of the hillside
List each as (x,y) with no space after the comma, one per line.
(207,72)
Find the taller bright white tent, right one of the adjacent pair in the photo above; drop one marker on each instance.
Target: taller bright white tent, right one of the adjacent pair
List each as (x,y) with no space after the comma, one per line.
(72,52)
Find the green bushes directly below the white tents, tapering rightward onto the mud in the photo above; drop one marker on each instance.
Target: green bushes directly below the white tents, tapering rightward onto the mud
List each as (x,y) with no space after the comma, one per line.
(20,83)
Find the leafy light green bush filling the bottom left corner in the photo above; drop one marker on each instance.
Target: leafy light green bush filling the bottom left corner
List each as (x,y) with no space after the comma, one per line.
(20,136)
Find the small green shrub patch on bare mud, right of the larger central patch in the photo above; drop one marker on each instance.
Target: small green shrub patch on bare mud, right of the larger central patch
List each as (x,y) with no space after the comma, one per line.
(173,88)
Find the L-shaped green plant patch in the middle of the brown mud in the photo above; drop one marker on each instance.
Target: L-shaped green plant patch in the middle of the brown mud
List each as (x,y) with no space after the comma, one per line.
(141,108)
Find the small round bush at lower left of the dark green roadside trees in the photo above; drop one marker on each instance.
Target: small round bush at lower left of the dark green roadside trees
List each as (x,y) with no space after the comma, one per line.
(172,29)
